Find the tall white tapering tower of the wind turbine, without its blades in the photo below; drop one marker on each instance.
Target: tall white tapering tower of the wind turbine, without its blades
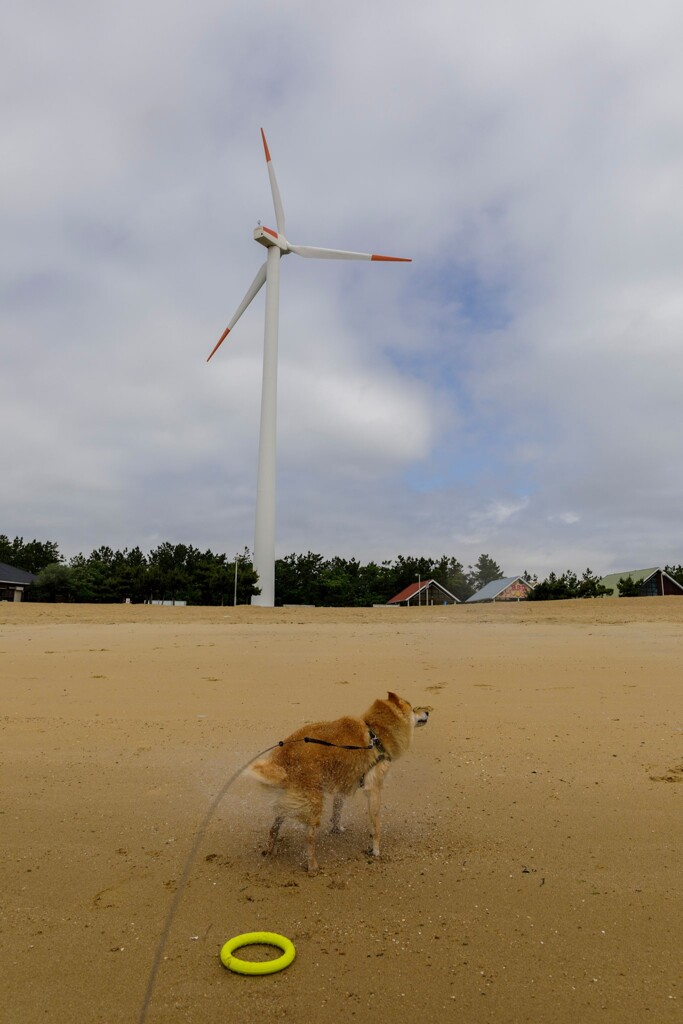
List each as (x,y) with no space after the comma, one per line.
(265,538)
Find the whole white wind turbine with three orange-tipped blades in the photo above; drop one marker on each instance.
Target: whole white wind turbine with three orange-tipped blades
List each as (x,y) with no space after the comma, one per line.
(277,246)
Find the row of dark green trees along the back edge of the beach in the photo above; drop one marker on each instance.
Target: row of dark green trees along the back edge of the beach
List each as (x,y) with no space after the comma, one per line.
(179,572)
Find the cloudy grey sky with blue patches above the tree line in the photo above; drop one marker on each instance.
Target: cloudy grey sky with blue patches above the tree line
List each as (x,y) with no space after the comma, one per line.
(516,391)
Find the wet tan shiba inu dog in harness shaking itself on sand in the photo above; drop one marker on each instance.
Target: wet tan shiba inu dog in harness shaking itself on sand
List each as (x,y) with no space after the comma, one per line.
(337,758)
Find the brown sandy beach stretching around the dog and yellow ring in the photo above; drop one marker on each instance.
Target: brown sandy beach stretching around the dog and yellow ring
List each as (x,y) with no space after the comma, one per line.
(532,865)
